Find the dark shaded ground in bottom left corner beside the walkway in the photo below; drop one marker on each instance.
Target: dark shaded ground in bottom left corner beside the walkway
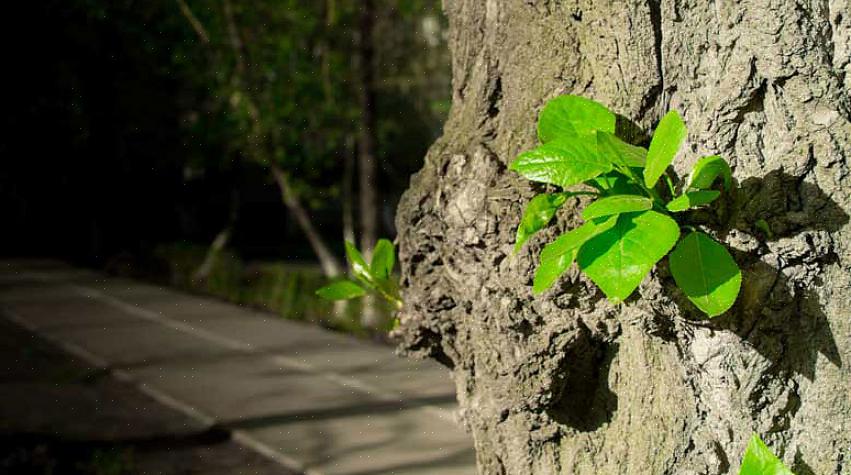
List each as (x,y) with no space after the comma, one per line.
(60,415)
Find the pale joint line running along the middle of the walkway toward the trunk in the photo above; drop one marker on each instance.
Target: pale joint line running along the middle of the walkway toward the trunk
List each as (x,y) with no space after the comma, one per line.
(236,345)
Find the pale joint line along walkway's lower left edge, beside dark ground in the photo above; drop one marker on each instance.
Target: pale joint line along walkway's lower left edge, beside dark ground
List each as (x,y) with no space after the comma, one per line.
(237,435)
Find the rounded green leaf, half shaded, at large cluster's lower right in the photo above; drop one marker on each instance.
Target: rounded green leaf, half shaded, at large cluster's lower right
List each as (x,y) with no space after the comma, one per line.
(706,272)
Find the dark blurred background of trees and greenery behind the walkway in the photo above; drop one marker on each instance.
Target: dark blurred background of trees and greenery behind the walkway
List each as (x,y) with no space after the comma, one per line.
(225,147)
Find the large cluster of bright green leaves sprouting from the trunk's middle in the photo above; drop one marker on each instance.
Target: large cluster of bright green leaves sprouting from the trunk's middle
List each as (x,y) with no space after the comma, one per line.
(630,226)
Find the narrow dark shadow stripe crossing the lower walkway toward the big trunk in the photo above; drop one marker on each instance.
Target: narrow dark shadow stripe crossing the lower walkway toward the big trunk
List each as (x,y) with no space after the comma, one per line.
(352,410)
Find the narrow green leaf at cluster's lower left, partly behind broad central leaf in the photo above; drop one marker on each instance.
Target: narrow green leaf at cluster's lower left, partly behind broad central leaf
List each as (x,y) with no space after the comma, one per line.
(558,255)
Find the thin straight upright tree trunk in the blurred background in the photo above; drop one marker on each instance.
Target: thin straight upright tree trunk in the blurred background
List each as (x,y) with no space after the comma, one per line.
(367,188)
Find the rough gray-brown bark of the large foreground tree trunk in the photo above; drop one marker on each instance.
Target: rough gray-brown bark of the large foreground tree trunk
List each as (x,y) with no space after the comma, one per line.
(566,382)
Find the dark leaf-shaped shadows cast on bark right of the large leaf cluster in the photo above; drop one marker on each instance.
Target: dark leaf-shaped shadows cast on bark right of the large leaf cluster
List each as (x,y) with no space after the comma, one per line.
(777,311)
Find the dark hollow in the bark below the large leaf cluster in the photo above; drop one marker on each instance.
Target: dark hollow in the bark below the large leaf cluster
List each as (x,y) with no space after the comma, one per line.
(586,402)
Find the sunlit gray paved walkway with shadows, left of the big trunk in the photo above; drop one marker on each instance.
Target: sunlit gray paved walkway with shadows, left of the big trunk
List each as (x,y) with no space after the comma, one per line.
(313,400)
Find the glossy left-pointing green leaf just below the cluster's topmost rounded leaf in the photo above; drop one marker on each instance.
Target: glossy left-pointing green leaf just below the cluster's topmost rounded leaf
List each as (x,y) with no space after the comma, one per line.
(564,162)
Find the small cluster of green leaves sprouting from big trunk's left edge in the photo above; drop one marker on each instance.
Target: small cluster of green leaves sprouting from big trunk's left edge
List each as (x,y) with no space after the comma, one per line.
(375,277)
